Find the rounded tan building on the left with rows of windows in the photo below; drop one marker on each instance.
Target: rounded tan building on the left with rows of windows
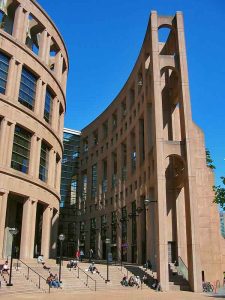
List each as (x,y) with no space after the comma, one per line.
(32,107)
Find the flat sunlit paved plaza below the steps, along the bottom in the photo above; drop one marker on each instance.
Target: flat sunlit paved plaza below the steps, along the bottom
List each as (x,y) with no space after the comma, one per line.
(126,294)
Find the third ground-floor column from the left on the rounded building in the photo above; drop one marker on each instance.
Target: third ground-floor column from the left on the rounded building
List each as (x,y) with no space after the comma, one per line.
(46,232)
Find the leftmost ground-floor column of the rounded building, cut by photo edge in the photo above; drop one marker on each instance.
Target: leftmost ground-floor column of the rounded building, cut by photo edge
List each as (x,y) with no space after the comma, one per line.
(3,209)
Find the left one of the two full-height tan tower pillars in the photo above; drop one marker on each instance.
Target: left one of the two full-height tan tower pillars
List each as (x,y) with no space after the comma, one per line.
(160,182)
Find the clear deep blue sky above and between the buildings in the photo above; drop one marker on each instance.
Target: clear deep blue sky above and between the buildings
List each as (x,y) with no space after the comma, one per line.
(104,37)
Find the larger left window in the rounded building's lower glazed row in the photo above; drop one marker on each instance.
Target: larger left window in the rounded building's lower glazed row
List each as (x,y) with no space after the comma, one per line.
(21,150)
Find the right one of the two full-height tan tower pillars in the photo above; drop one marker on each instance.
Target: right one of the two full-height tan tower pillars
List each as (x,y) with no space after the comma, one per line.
(193,240)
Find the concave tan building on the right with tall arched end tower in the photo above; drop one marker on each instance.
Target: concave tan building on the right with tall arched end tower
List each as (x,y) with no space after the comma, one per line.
(145,149)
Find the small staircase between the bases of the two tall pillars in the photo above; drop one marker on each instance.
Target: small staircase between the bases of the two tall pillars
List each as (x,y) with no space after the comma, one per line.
(176,280)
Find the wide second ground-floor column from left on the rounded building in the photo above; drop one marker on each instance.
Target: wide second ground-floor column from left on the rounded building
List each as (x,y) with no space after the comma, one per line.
(28,229)
